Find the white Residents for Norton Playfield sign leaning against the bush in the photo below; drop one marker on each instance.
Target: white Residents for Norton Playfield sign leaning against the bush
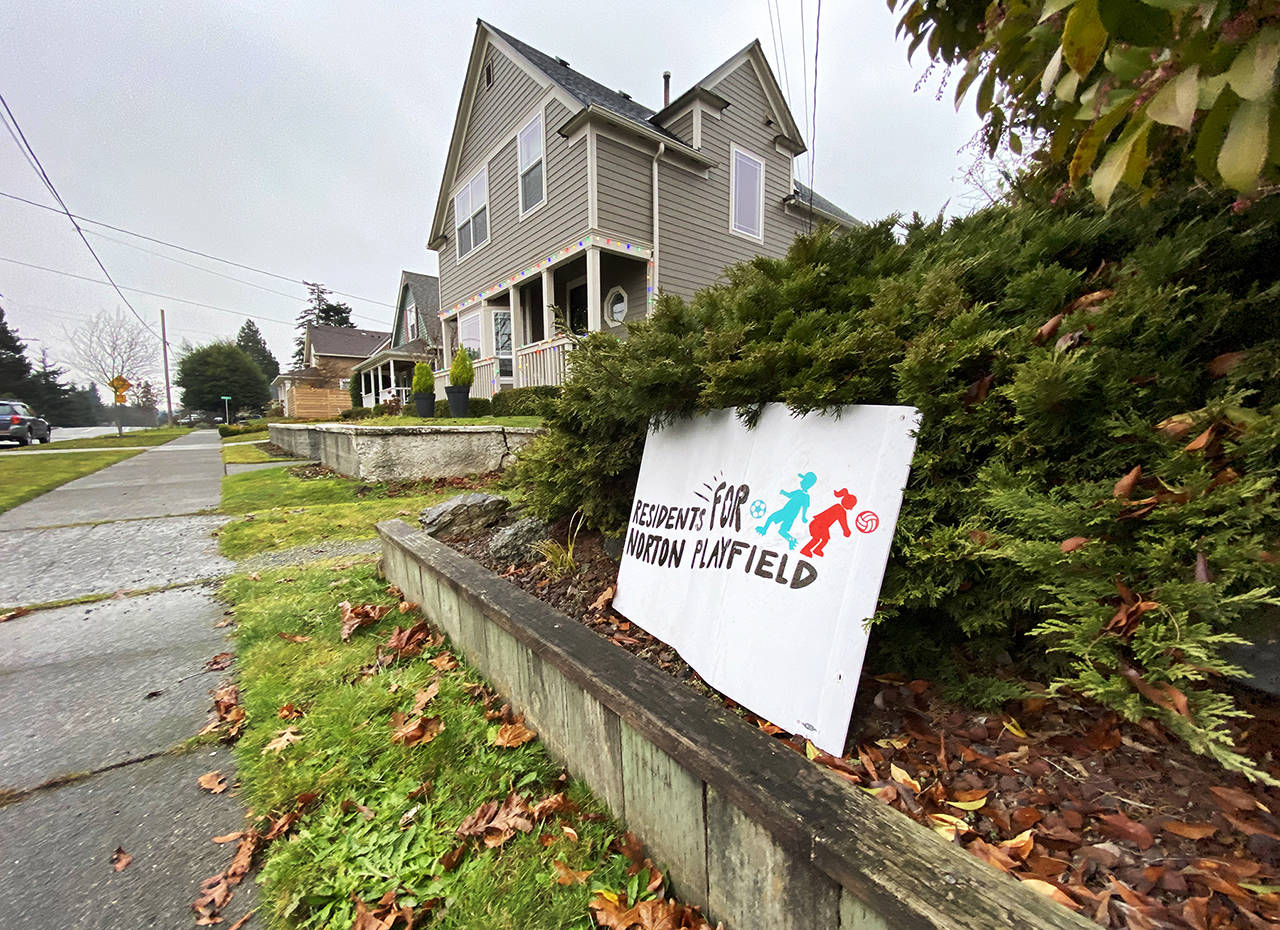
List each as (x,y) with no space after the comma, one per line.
(758,555)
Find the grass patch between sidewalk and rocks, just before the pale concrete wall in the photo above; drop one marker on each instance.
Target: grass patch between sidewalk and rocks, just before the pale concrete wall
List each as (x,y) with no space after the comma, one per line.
(284,512)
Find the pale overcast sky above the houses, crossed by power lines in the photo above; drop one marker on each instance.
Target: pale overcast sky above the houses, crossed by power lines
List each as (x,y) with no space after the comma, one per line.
(309,139)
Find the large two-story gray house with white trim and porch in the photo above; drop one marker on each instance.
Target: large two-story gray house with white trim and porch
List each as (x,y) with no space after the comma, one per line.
(560,193)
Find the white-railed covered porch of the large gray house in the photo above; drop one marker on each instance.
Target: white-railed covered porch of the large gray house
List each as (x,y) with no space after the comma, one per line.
(520,332)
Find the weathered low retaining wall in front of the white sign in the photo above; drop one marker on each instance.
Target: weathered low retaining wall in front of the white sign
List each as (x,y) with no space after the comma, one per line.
(755,833)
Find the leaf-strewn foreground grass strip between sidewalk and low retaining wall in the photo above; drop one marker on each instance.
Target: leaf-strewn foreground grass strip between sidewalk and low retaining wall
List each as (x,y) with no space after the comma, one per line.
(412,801)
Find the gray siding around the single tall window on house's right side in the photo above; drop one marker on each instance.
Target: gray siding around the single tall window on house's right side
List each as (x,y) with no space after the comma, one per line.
(694,212)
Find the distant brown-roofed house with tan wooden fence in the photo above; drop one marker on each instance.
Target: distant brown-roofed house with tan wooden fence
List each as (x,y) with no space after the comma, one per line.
(322,387)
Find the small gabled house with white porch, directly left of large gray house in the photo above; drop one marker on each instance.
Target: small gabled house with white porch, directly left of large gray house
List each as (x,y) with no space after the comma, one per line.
(415,338)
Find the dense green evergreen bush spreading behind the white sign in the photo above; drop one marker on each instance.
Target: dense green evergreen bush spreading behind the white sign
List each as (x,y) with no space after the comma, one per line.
(1048,350)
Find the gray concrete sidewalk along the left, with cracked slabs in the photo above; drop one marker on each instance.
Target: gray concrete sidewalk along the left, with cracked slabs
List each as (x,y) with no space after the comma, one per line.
(98,699)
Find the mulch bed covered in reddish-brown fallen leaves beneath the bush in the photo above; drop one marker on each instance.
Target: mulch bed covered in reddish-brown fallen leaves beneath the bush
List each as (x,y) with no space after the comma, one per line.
(1119,822)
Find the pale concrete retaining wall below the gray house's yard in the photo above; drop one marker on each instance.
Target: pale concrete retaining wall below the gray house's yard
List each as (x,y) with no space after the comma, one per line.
(386,453)
